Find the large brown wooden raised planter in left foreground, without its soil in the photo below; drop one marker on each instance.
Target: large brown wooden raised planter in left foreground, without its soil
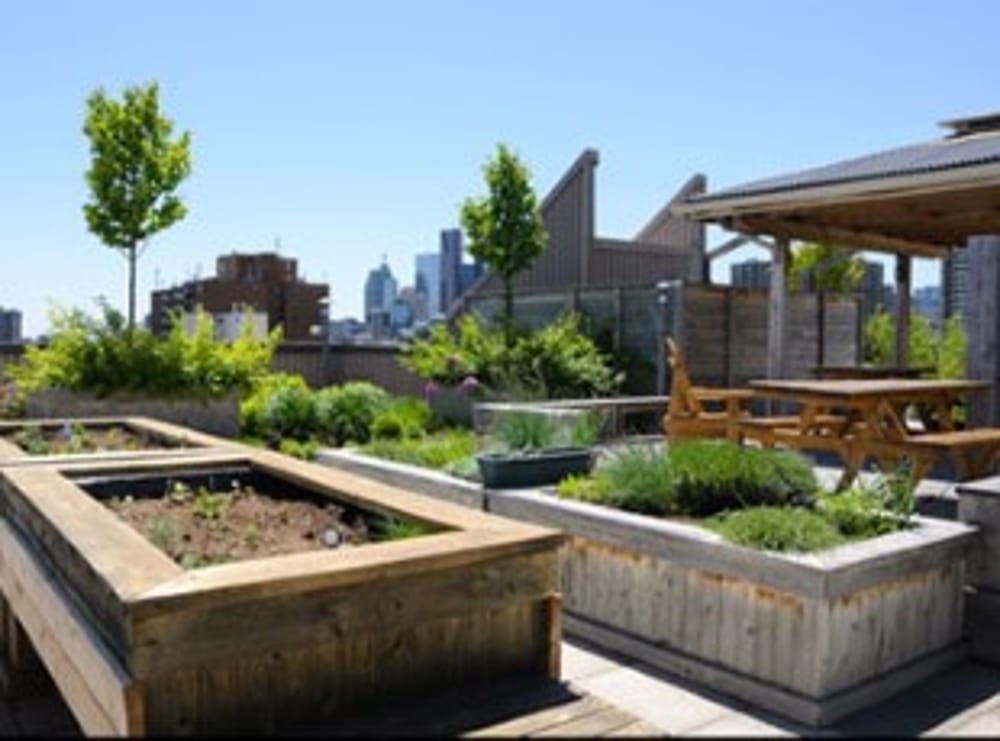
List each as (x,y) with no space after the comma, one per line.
(138,645)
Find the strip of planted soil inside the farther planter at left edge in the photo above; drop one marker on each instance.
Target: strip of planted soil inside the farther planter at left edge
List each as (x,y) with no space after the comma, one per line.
(76,438)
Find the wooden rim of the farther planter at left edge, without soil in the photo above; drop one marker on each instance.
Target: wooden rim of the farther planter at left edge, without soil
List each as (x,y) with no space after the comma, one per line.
(167,440)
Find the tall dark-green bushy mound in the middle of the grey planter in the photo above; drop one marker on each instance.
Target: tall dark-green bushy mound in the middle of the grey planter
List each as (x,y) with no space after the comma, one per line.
(710,477)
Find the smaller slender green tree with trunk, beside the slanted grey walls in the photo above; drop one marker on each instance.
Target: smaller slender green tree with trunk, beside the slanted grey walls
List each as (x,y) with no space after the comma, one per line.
(505,227)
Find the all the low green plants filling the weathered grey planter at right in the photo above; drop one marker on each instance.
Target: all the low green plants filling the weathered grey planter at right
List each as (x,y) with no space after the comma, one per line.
(760,498)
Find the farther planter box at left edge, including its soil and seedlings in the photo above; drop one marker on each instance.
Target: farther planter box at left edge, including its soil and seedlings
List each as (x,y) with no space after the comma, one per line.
(41,441)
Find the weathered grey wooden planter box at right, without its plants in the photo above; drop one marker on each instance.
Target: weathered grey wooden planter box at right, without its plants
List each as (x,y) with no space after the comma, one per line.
(813,637)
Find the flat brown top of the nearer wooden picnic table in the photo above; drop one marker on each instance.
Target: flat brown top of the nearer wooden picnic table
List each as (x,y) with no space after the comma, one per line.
(864,389)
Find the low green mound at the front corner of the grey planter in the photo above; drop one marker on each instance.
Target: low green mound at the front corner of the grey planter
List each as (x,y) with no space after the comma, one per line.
(776,529)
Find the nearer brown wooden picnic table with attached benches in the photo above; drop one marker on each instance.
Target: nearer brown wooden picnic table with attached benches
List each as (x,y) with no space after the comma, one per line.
(862,418)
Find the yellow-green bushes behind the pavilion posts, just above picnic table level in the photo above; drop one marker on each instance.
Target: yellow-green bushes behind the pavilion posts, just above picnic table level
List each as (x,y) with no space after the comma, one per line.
(945,353)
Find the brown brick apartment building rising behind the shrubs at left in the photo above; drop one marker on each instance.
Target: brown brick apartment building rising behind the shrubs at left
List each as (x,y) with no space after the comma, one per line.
(265,281)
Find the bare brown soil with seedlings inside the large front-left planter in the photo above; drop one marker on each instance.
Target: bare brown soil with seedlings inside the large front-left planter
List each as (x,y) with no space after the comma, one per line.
(202,527)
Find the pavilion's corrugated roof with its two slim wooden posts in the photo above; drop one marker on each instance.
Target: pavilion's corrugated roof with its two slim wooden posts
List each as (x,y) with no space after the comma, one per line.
(918,201)
